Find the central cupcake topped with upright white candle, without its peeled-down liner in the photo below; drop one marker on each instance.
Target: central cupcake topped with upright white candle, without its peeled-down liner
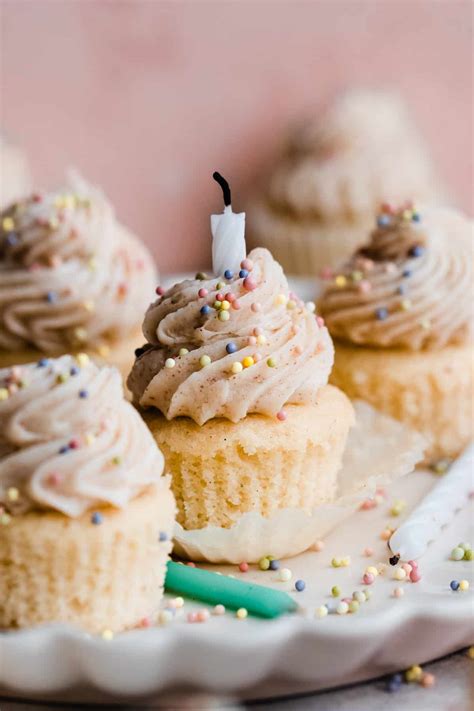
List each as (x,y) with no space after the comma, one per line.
(233,378)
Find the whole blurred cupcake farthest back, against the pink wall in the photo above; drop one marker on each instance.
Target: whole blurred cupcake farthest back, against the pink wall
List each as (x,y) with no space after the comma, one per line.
(333,175)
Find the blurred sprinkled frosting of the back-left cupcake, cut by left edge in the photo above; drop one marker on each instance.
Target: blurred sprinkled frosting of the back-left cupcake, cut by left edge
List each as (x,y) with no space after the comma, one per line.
(72,279)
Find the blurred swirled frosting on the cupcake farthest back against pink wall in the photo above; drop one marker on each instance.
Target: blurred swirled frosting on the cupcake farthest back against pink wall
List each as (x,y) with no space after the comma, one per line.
(335,167)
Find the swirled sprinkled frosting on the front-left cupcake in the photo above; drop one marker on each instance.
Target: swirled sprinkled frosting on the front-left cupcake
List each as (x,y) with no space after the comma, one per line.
(69,441)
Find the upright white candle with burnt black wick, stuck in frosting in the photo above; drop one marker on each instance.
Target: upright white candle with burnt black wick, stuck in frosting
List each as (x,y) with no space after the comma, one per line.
(228,235)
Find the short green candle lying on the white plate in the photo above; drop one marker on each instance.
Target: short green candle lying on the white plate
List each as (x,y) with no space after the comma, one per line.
(216,589)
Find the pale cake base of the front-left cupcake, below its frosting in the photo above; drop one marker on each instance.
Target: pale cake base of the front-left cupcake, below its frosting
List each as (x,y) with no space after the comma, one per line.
(108,576)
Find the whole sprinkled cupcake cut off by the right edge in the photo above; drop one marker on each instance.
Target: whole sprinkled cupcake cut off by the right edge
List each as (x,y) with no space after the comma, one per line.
(400,311)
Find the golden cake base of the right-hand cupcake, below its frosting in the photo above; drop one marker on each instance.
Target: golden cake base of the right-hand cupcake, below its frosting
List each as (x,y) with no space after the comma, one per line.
(431,391)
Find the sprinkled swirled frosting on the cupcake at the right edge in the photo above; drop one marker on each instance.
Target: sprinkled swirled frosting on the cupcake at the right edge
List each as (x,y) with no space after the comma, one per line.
(409,287)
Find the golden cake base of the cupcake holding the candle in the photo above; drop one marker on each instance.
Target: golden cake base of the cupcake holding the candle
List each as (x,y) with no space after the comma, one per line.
(221,470)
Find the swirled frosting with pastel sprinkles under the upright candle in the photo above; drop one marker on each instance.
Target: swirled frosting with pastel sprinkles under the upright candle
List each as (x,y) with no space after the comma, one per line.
(231,346)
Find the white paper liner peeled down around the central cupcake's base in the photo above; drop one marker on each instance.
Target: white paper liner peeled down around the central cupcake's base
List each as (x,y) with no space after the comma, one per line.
(379,450)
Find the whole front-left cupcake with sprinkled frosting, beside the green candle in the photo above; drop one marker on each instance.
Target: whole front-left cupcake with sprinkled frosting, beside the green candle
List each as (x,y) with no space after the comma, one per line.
(86,518)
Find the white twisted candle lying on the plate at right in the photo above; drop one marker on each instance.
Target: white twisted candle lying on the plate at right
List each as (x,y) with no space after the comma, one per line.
(411,540)
